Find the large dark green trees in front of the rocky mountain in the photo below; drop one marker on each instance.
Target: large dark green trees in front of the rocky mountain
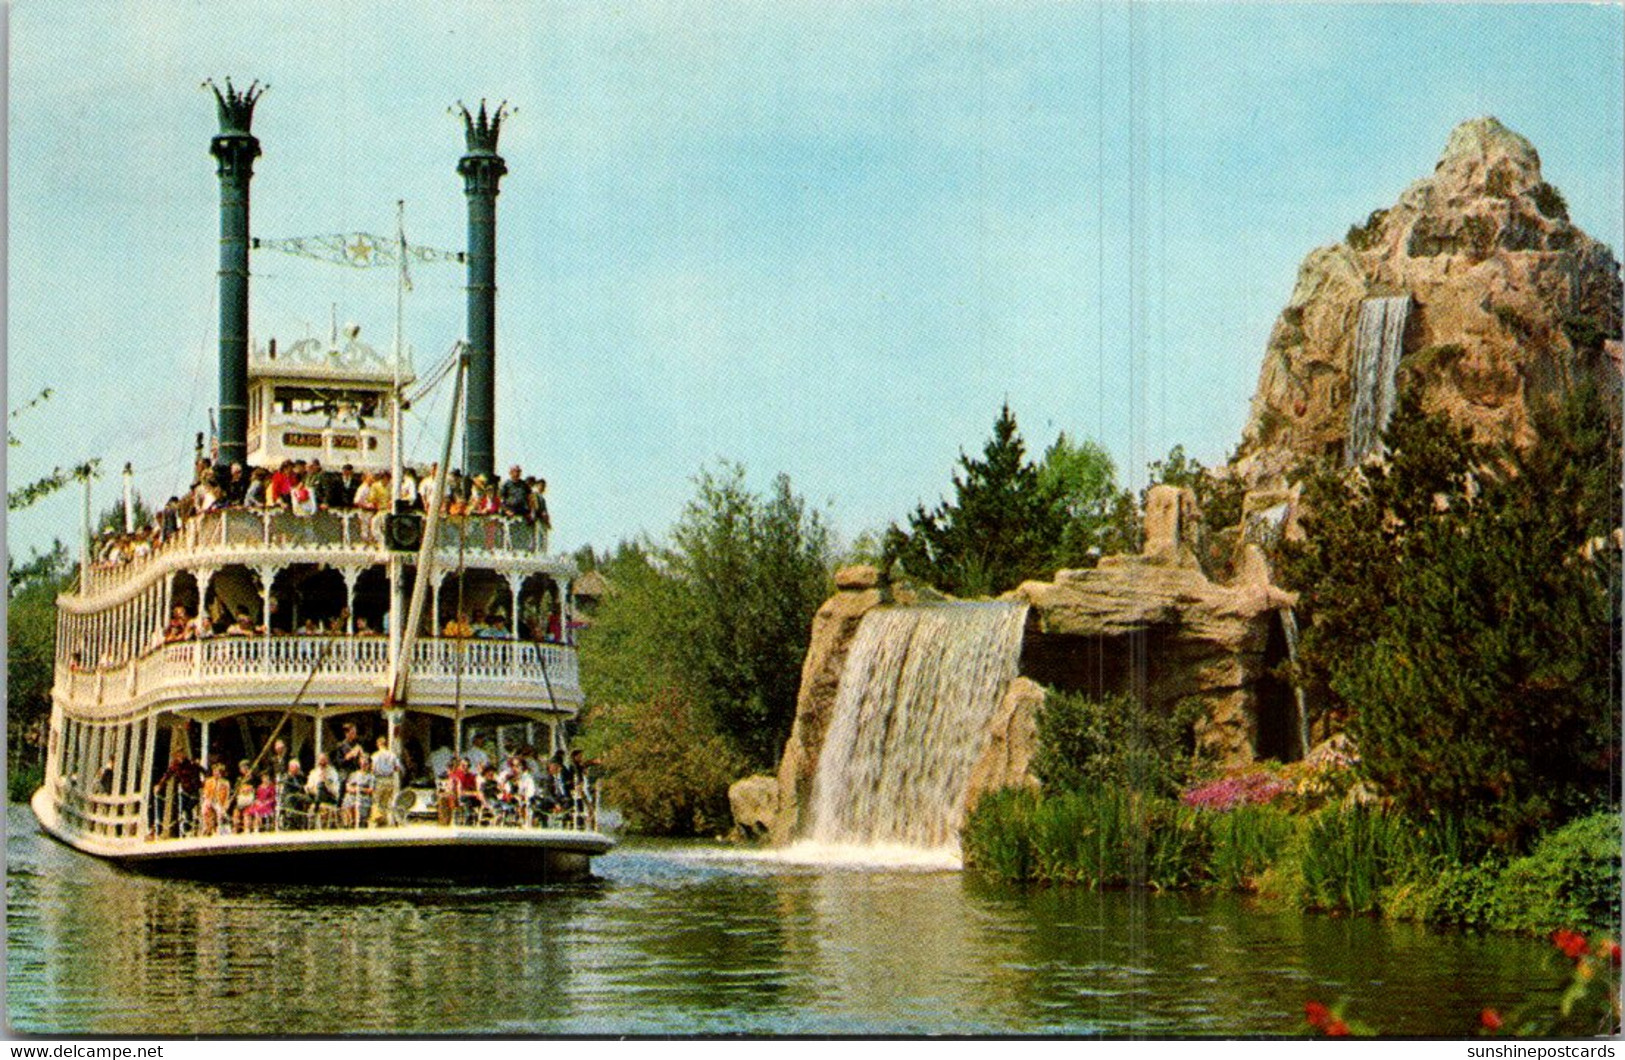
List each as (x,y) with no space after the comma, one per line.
(1460,625)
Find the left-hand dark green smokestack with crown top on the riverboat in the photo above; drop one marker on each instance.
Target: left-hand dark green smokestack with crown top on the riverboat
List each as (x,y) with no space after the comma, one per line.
(235,149)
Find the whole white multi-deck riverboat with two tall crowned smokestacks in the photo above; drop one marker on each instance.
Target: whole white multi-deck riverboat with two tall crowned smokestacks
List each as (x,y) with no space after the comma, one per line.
(308,619)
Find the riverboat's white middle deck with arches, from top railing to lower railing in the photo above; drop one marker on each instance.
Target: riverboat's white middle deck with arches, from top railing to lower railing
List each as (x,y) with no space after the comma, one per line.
(168,627)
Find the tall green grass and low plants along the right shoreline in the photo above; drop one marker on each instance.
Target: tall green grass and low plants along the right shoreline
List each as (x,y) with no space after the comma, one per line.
(1350,861)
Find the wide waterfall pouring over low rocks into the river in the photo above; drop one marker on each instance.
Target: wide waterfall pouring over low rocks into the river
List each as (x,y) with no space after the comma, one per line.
(911,719)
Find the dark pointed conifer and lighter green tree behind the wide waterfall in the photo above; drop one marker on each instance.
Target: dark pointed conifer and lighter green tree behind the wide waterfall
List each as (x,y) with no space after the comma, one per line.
(1013,519)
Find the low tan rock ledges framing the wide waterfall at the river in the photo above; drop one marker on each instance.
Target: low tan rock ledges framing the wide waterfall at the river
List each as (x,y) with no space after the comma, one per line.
(1150,625)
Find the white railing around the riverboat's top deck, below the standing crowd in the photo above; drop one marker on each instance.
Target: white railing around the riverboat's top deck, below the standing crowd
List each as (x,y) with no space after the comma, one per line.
(349,529)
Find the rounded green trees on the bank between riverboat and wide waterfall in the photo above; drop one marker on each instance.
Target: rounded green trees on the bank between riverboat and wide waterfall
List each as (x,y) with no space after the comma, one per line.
(693,661)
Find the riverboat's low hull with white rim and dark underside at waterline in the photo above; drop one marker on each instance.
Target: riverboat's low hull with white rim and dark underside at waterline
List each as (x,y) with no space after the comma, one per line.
(353,856)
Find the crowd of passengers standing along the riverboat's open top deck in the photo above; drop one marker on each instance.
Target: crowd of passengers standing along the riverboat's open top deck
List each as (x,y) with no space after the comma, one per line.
(306,489)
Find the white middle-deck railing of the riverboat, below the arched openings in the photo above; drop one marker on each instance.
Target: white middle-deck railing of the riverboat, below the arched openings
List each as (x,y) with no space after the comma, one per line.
(545,667)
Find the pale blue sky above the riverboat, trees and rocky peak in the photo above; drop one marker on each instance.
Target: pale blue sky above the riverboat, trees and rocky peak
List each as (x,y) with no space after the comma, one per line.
(818,240)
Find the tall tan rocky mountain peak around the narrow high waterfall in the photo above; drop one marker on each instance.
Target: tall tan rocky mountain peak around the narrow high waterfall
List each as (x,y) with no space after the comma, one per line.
(1510,305)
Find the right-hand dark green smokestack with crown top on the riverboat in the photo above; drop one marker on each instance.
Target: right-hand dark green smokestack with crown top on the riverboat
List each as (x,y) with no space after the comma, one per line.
(482,170)
